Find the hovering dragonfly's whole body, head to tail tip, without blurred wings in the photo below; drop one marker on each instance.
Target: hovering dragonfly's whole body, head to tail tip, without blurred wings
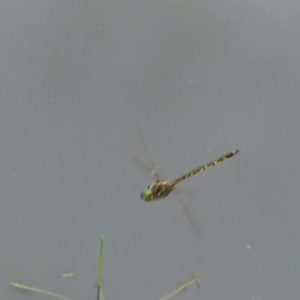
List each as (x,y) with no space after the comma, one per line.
(162,188)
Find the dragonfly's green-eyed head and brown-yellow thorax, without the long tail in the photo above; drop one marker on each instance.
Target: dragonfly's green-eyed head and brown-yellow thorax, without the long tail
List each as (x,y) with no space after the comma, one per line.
(157,190)
